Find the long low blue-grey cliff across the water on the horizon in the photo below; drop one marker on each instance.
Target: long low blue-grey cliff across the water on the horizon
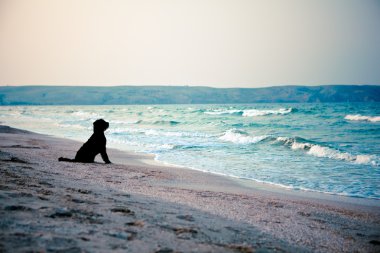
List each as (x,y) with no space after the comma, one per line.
(82,95)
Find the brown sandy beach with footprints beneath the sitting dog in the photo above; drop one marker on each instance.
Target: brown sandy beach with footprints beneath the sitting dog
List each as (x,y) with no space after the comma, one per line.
(137,205)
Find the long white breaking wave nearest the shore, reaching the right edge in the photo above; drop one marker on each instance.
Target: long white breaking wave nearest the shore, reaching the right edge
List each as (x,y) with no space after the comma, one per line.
(327,152)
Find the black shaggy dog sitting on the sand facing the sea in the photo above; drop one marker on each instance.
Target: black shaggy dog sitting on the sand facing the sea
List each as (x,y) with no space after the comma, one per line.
(95,145)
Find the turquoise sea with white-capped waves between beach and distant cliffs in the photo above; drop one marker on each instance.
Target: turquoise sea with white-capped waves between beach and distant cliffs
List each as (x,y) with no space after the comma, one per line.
(332,148)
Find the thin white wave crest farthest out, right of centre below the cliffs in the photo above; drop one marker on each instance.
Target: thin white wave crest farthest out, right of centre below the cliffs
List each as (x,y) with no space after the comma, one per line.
(251,112)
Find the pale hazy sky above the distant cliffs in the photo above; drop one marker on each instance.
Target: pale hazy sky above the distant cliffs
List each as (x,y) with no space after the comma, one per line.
(221,43)
